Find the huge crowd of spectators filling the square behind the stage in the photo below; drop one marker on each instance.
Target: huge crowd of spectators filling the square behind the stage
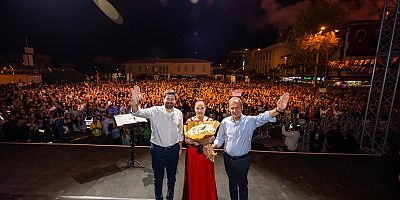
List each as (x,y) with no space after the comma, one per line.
(57,112)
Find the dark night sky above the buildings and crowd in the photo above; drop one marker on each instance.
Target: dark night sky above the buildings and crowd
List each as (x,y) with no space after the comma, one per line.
(78,31)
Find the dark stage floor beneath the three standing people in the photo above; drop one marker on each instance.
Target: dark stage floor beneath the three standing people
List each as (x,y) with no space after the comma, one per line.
(34,171)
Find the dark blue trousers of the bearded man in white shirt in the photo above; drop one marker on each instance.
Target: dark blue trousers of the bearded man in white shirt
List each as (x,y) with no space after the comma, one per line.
(164,157)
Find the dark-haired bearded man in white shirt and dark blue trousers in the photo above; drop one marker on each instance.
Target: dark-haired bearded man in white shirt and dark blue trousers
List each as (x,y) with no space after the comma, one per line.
(166,138)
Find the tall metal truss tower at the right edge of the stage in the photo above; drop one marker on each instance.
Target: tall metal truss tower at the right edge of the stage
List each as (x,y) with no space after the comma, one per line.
(382,92)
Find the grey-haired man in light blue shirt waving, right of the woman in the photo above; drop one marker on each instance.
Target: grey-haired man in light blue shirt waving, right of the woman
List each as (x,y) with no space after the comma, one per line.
(236,132)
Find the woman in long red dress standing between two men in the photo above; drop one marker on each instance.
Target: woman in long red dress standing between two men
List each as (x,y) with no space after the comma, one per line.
(199,180)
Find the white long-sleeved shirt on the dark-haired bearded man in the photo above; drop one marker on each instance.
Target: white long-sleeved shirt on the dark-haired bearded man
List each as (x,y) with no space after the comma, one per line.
(166,127)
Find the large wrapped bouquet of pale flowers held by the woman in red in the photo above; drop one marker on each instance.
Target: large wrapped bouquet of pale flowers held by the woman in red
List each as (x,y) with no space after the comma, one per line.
(201,132)
